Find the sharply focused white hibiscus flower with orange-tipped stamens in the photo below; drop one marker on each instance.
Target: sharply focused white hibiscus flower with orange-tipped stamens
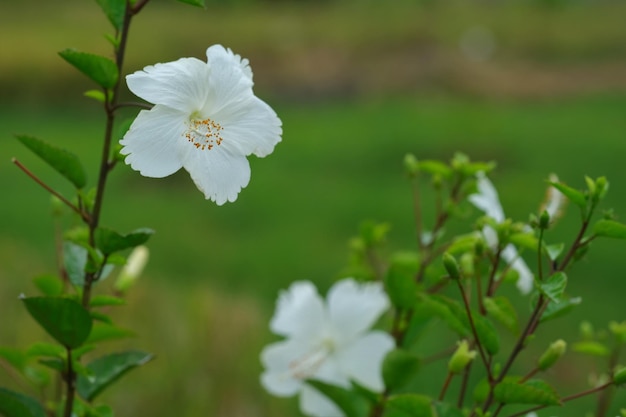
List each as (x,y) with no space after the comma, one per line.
(205,119)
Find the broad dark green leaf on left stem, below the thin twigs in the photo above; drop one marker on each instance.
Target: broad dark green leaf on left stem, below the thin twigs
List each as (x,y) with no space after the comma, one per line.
(64,319)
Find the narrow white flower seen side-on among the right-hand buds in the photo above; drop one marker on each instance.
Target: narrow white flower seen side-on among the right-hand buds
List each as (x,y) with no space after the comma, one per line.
(487,200)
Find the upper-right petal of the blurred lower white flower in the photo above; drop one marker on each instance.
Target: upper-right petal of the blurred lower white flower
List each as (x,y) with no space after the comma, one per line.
(354,307)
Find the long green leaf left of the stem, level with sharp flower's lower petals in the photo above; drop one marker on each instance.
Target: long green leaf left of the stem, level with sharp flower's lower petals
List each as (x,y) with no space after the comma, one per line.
(62,161)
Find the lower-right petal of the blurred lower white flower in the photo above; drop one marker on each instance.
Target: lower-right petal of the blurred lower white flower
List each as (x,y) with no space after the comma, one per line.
(362,360)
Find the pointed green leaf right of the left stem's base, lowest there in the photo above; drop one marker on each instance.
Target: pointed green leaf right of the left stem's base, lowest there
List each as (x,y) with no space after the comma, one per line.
(108,369)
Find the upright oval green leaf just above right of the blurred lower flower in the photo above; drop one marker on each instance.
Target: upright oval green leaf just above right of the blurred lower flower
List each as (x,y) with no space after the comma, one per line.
(400,280)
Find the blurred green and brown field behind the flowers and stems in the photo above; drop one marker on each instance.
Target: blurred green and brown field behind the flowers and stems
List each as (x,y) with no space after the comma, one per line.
(537,86)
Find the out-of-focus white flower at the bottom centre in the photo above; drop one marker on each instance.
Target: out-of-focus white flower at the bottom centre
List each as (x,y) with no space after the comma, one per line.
(327,341)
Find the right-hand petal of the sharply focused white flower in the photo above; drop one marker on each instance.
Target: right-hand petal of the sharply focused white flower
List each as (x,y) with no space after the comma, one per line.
(252,127)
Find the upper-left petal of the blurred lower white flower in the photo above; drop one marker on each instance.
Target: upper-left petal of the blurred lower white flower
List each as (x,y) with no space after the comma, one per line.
(299,312)
